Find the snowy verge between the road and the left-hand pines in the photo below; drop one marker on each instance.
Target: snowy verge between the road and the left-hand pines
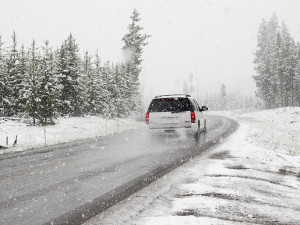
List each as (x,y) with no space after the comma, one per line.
(65,130)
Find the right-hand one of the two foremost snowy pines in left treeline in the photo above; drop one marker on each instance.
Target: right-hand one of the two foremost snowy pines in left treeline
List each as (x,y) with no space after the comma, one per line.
(48,90)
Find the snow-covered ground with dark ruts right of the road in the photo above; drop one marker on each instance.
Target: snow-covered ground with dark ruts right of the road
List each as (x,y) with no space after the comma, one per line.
(242,181)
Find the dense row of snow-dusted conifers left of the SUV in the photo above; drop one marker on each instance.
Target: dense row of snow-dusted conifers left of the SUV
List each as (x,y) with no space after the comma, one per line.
(42,82)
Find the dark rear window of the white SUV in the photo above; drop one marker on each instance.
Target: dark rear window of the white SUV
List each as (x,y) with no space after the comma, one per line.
(170,105)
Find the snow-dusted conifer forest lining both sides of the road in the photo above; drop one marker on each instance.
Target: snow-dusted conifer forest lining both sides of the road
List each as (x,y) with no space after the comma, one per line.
(41,83)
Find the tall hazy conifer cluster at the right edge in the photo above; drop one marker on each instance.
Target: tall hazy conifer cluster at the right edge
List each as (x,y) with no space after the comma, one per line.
(277,62)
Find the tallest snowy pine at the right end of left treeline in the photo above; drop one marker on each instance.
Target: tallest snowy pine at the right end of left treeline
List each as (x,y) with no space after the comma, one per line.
(134,41)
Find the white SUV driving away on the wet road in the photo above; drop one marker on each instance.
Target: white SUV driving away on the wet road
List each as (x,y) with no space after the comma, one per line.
(170,112)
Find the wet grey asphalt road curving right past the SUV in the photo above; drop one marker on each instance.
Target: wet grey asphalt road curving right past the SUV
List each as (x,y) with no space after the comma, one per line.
(70,183)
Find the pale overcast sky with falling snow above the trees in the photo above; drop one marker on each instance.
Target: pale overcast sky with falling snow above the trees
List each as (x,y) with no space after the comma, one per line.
(213,40)
